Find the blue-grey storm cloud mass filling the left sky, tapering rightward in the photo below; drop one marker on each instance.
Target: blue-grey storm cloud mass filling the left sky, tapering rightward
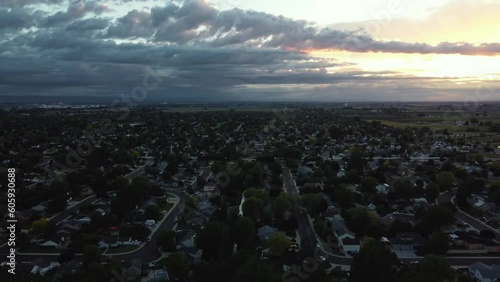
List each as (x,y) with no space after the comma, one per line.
(210,53)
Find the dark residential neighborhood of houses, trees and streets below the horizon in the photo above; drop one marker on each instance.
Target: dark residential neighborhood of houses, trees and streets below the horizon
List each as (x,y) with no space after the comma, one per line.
(154,200)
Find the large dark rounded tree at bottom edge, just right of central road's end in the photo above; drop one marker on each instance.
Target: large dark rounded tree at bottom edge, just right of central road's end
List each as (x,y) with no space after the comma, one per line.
(374,262)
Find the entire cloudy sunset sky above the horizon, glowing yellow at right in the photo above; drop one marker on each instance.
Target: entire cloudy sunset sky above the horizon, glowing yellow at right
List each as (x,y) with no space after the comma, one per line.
(259,50)
